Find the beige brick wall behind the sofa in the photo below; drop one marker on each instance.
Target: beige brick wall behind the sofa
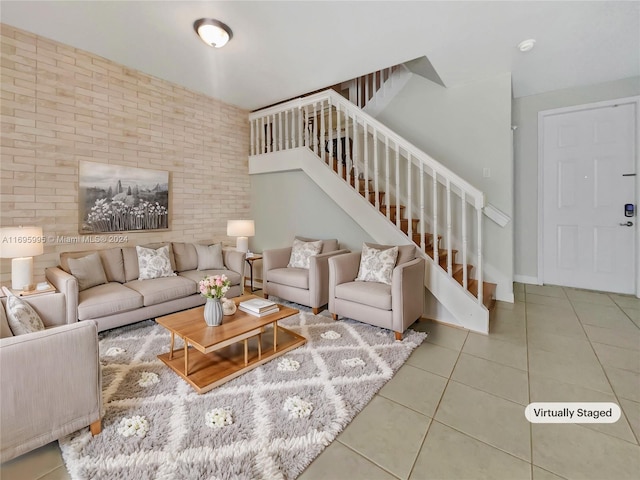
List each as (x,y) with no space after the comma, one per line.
(61,105)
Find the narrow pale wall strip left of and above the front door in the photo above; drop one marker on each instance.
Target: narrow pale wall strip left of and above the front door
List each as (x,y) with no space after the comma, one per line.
(525,117)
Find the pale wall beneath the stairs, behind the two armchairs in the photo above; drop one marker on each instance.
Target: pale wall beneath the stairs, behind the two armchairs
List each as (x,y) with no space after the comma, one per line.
(288,204)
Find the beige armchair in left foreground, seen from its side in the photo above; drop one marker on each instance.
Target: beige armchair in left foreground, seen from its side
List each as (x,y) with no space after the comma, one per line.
(50,380)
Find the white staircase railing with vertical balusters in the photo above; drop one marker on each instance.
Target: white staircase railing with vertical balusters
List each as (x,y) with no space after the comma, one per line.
(439,206)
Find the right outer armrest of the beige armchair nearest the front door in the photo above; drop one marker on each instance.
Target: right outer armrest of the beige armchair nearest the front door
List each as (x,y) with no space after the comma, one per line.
(407,293)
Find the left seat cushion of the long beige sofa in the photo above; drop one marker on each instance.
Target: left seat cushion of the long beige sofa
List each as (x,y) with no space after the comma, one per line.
(107,299)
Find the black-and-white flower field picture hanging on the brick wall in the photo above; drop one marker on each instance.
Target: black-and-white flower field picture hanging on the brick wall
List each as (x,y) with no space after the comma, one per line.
(116,198)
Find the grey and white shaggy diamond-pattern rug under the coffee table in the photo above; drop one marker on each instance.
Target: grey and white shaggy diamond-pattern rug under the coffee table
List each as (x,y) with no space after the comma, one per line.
(269,423)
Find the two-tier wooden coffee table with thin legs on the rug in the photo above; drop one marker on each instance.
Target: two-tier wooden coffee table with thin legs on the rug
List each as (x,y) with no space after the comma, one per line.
(214,355)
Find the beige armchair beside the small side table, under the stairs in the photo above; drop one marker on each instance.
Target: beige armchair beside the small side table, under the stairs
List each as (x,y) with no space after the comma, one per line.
(308,287)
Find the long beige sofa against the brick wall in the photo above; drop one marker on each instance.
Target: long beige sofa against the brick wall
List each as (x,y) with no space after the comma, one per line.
(124,299)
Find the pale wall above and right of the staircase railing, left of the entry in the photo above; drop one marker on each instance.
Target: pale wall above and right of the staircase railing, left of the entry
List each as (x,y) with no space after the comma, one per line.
(467,128)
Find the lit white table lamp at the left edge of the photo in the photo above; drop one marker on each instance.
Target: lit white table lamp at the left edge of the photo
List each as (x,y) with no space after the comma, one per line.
(21,244)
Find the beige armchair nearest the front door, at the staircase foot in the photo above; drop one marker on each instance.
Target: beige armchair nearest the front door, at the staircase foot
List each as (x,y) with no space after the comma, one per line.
(394,306)
